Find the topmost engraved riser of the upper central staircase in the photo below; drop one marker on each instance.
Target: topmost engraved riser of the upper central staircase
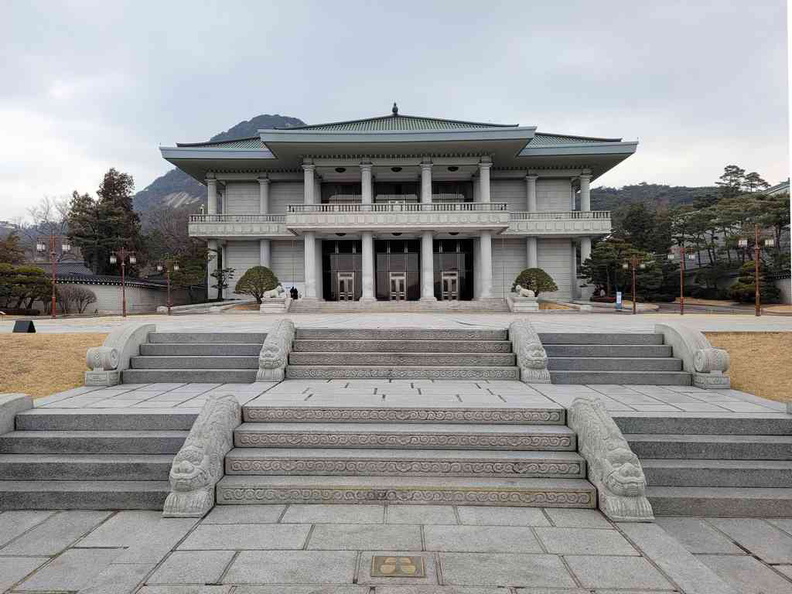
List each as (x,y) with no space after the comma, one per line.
(399,334)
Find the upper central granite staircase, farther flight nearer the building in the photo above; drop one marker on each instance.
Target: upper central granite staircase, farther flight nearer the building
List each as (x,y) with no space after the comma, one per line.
(331,353)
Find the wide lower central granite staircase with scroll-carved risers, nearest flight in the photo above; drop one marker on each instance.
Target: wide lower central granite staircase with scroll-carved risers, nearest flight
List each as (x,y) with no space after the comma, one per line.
(412,454)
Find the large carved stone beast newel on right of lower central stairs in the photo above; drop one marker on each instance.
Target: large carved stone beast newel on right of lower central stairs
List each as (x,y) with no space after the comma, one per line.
(612,466)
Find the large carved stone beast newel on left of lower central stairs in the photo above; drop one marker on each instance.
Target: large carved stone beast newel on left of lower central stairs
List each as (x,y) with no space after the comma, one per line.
(198,466)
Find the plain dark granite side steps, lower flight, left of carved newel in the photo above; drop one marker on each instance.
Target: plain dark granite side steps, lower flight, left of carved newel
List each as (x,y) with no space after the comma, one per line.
(90,459)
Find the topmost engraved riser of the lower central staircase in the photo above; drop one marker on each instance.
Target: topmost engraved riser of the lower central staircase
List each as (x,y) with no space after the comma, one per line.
(370,414)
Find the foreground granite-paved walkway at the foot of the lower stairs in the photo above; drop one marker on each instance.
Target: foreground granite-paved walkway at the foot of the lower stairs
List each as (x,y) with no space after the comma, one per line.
(324,549)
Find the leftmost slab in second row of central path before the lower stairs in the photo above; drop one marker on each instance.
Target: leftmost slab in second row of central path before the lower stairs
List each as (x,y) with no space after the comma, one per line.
(234,537)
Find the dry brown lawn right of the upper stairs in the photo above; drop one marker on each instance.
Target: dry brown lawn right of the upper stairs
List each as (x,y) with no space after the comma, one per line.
(761,362)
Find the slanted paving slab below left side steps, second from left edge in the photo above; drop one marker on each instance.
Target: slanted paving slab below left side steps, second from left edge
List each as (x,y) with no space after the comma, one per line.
(55,533)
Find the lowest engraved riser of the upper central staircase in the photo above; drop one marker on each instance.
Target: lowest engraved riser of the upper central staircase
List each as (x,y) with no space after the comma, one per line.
(373,372)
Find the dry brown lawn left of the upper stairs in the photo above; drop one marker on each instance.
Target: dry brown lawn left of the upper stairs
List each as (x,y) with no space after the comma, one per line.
(42,364)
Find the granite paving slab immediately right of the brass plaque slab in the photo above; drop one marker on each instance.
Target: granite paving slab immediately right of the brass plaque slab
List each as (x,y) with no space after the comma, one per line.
(501,569)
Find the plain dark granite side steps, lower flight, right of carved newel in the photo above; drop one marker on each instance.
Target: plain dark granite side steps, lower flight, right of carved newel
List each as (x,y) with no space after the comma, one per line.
(714,466)
